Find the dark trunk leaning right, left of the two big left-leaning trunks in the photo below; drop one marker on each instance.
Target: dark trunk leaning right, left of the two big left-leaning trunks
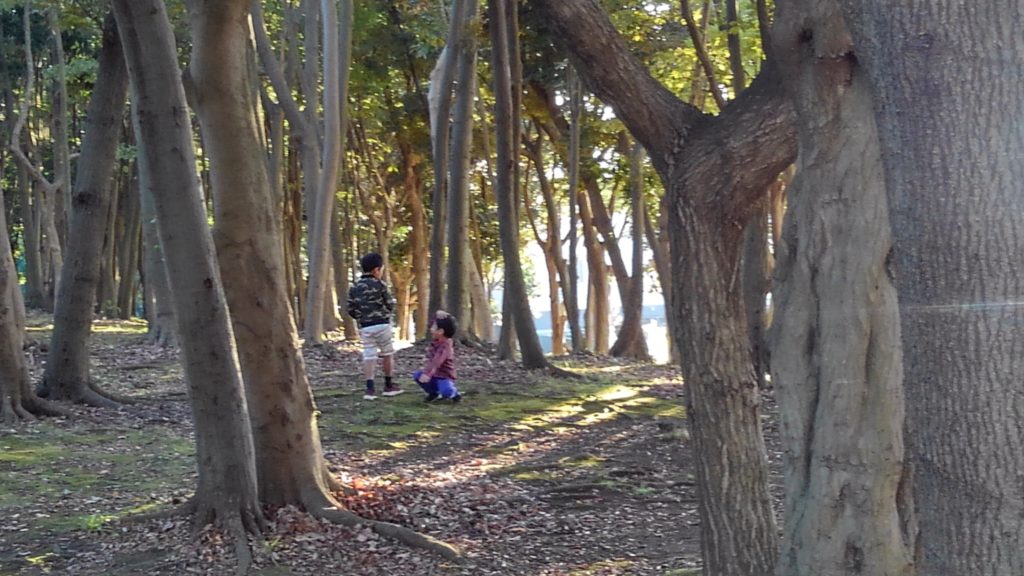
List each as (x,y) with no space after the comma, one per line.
(67,376)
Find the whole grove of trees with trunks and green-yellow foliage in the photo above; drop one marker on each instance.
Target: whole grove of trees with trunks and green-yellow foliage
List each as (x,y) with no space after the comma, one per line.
(826,195)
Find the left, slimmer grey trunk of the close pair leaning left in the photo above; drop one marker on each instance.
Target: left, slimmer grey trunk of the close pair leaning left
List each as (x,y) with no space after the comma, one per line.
(228,490)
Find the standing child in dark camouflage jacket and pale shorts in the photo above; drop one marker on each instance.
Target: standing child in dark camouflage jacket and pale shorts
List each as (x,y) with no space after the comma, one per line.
(371,305)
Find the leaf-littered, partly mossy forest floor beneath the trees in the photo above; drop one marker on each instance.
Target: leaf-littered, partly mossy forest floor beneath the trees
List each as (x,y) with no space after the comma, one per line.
(529,476)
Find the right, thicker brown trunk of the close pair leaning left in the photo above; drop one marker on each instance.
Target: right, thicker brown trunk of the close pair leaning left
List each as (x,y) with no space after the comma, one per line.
(289,463)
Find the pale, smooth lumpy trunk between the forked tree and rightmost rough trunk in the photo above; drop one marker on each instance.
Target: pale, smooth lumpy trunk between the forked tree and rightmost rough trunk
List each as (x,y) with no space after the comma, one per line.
(836,336)
